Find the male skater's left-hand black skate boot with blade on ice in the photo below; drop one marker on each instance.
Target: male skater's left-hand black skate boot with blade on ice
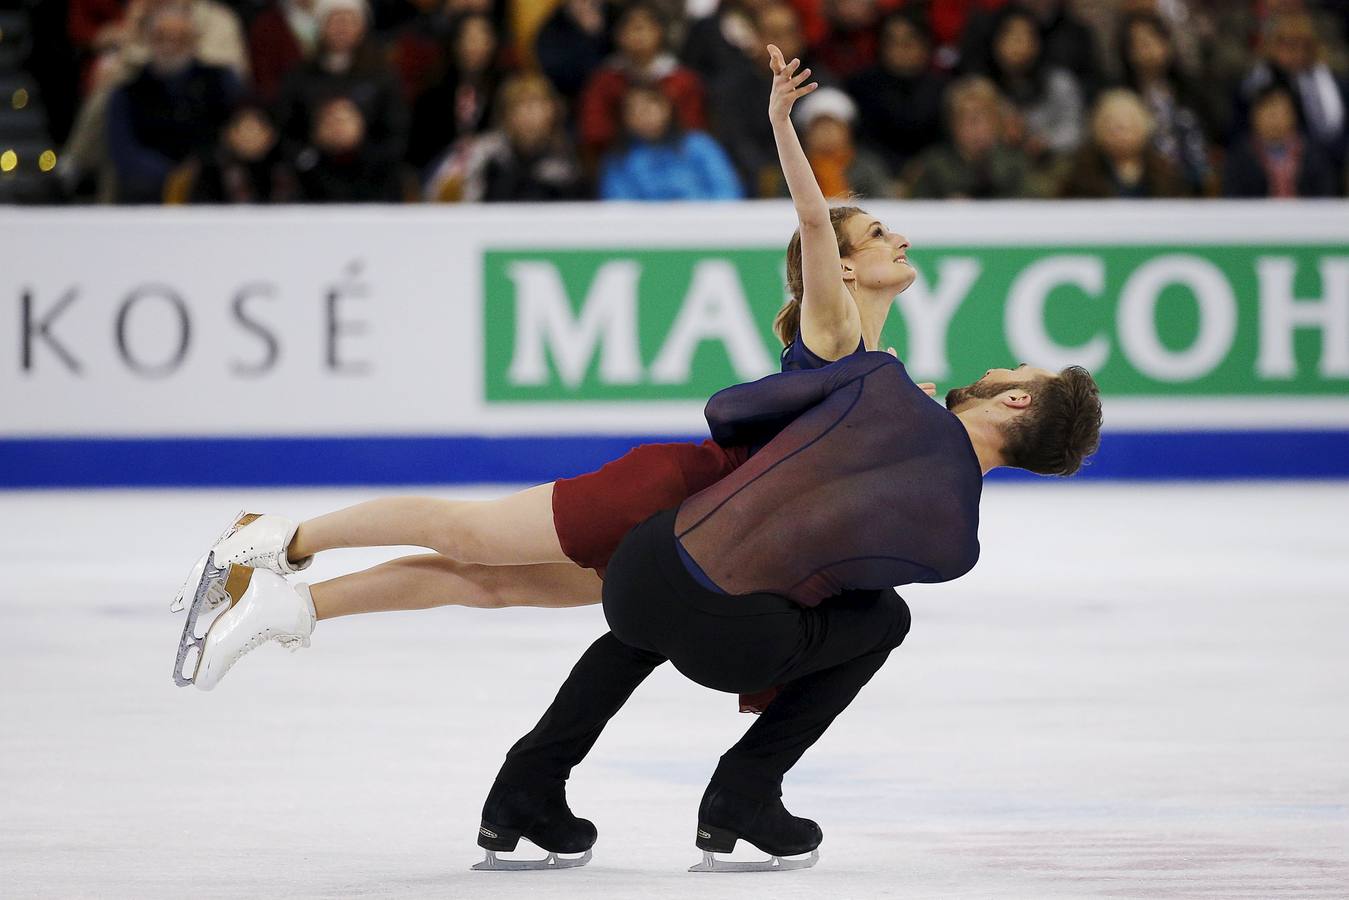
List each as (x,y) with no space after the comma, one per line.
(542,817)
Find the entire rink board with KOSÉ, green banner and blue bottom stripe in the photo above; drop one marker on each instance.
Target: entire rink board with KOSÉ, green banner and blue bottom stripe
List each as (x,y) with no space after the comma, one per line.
(391,346)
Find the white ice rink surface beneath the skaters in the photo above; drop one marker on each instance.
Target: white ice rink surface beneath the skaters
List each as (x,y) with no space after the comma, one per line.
(1139,693)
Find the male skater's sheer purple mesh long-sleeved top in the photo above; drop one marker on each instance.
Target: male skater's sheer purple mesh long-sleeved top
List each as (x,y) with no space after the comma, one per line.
(863,482)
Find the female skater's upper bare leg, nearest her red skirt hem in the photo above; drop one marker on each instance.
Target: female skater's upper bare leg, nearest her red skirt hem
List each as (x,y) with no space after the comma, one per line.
(511,531)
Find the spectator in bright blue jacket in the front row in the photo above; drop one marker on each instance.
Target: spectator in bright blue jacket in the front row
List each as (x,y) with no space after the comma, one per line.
(660,161)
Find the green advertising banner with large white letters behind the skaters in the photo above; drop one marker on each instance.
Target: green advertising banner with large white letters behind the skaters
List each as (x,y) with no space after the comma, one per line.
(1166,322)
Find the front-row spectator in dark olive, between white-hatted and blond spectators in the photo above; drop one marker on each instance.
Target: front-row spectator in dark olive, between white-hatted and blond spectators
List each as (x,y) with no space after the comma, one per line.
(975,164)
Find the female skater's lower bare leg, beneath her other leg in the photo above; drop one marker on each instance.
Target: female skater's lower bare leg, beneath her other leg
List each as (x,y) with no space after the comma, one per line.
(427,581)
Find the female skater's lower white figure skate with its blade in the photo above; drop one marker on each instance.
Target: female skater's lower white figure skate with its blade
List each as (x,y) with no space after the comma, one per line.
(261,608)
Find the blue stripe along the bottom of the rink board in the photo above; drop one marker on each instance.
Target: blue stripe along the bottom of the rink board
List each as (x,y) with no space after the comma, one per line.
(226,462)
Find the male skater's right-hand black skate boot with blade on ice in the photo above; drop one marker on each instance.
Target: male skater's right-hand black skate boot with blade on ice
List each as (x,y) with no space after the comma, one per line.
(725,817)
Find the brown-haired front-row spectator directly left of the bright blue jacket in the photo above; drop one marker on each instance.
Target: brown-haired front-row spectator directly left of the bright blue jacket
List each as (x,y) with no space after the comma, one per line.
(527,159)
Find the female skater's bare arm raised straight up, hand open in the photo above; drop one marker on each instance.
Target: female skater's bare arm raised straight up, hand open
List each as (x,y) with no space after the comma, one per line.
(832,326)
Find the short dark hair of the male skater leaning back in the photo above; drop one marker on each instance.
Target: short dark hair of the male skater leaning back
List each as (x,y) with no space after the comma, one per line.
(1061,428)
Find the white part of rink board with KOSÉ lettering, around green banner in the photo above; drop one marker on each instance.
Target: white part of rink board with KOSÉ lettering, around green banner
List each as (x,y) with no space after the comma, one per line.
(370,320)
